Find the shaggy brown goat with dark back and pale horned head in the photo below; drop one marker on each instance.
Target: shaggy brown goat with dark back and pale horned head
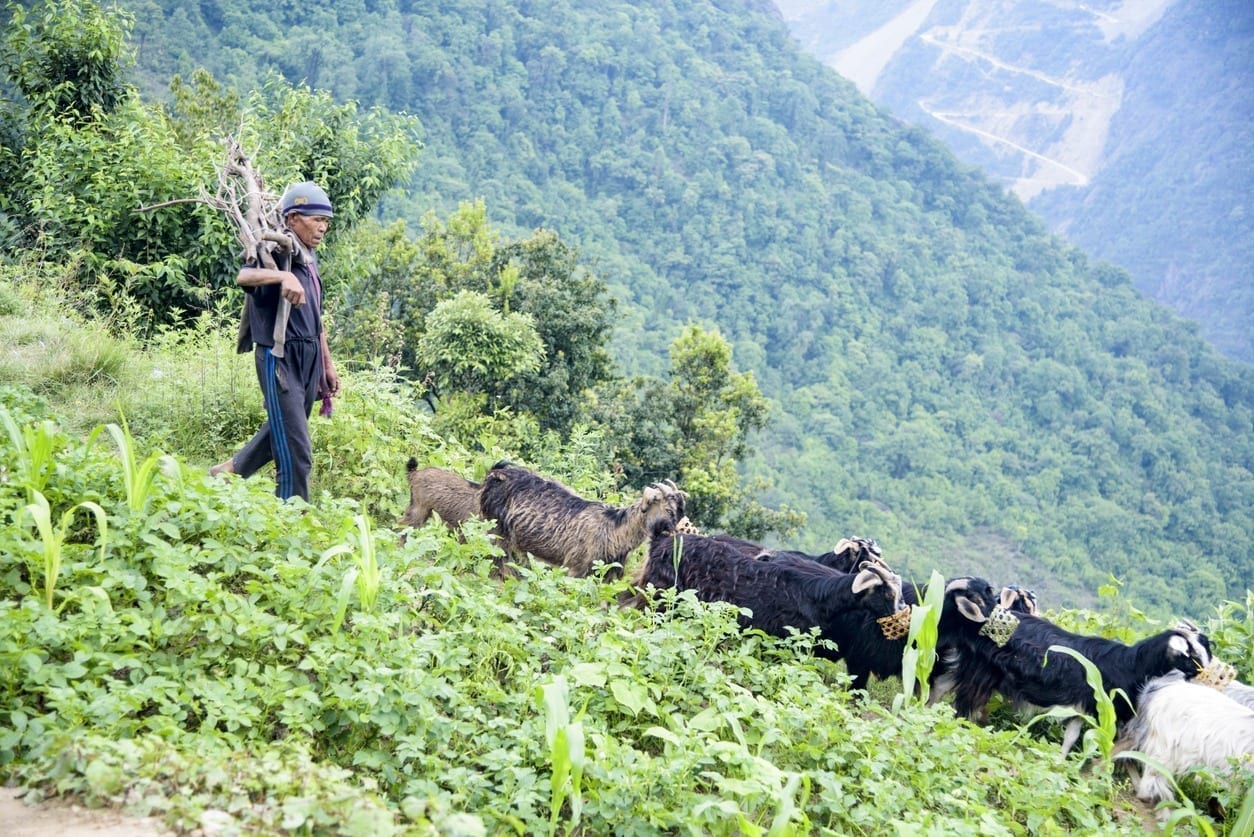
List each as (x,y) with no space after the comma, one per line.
(544,518)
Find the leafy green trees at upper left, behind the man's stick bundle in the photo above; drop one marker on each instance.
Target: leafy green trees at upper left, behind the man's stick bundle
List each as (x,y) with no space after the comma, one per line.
(97,178)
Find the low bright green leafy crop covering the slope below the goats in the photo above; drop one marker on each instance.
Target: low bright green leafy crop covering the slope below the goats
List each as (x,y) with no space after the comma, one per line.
(294,668)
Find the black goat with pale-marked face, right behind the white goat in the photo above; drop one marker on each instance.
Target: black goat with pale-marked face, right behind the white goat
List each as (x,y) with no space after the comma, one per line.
(1023,669)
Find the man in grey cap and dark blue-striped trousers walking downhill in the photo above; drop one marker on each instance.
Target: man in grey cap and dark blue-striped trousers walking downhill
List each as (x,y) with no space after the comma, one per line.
(294,366)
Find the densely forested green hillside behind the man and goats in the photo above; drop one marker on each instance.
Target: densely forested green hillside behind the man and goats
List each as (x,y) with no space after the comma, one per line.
(946,376)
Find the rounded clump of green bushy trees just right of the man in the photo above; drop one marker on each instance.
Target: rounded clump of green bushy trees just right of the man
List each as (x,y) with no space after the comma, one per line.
(540,278)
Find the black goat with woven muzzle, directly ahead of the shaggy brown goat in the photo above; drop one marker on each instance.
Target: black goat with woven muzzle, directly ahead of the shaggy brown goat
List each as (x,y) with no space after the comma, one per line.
(779,595)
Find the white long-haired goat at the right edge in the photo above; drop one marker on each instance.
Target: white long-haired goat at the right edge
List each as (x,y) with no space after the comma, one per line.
(1183,726)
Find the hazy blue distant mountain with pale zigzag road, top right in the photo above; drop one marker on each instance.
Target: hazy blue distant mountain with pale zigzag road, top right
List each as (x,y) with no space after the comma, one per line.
(1128,126)
